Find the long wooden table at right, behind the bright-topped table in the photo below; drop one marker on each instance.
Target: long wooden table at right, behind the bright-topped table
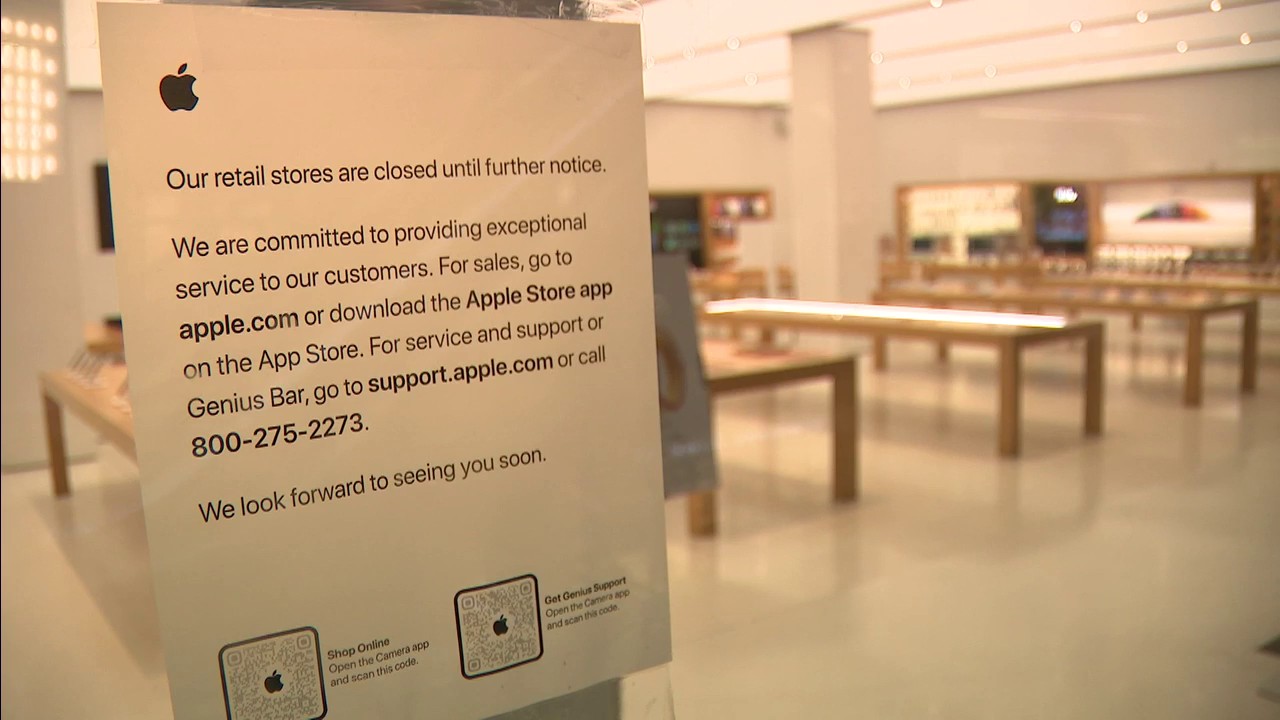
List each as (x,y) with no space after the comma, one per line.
(1192,312)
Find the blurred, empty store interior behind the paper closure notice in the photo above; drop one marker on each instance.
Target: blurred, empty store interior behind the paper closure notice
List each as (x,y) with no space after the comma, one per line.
(995,552)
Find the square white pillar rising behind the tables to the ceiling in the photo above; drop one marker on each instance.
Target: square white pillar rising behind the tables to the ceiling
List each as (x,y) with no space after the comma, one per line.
(833,166)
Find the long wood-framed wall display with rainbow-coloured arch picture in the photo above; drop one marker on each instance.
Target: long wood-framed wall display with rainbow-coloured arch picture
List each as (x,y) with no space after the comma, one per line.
(1201,225)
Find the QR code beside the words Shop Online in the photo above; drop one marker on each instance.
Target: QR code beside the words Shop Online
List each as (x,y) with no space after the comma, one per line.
(276,677)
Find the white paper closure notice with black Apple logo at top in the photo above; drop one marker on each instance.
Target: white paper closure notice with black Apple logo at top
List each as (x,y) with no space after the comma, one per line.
(388,312)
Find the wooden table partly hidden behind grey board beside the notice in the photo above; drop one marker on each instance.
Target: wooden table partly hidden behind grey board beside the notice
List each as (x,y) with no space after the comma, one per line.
(729,372)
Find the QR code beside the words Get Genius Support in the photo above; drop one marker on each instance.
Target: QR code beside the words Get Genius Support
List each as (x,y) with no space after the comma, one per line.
(499,626)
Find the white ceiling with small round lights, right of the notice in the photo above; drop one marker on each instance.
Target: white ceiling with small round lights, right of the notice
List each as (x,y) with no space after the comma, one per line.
(949,52)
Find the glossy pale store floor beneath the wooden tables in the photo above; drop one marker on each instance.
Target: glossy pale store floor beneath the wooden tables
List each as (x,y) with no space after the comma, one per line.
(1133,576)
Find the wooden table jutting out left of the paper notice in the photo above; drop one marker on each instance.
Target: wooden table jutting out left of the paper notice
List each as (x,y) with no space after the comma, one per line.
(95,405)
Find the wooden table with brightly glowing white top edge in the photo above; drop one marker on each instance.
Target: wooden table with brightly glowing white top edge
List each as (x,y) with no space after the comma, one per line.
(1011,335)
